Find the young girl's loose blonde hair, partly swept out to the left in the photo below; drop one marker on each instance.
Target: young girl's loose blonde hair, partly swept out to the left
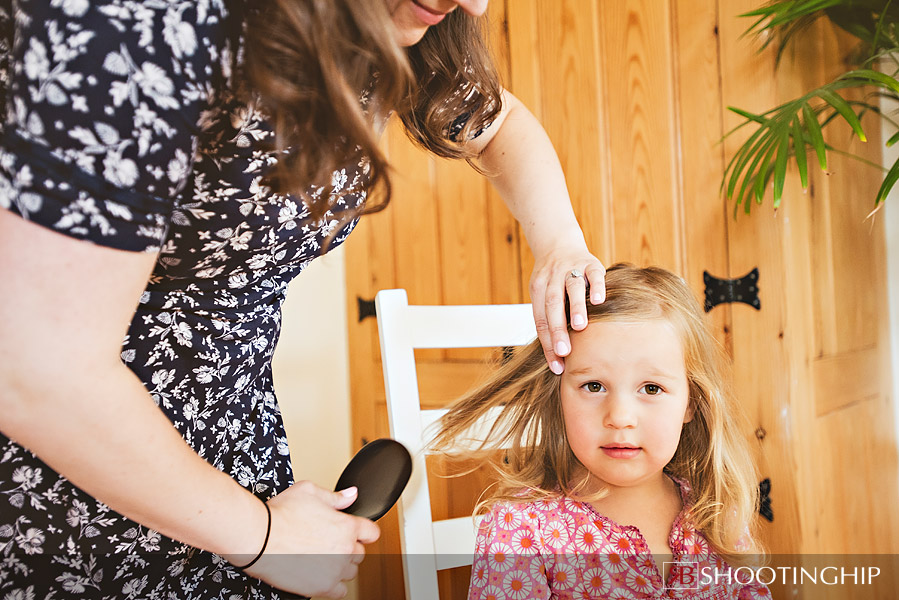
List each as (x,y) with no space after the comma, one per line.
(537,462)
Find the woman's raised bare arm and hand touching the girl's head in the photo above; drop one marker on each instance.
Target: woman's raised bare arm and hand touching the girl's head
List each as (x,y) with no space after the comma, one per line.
(522,164)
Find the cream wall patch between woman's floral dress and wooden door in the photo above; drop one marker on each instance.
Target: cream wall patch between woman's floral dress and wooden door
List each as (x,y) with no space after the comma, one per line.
(311,371)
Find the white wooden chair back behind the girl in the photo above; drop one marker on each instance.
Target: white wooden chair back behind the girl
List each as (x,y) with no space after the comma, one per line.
(429,546)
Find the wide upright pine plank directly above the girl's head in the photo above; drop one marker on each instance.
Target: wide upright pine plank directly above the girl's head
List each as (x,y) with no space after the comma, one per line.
(637,59)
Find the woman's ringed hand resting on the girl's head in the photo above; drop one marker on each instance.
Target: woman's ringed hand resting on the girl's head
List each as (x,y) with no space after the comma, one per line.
(560,272)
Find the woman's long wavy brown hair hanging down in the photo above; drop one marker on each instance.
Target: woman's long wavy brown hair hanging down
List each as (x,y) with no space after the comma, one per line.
(328,72)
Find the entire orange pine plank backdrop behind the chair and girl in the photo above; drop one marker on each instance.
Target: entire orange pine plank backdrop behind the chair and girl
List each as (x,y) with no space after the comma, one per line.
(633,94)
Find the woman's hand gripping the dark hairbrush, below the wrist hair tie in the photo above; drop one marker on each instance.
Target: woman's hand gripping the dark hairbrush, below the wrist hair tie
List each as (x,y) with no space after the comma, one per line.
(313,548)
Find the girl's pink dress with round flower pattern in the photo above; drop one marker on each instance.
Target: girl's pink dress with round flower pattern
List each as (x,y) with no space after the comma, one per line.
(563,549)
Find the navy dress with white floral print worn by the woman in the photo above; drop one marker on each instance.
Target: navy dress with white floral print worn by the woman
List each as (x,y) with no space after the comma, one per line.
(119,128)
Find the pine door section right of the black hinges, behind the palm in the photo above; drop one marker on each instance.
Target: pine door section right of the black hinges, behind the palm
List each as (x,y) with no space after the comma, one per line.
(813,365)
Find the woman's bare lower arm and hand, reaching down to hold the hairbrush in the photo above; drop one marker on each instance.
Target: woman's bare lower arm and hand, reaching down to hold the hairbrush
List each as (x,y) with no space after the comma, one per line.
(67,396)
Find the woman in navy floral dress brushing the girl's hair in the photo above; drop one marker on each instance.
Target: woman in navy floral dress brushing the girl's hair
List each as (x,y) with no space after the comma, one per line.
(209,150)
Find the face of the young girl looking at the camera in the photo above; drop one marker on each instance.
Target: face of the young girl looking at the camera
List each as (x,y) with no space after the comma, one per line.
(625,398)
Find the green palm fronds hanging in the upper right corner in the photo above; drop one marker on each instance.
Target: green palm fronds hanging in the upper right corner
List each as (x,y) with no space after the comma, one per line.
(792,131)
